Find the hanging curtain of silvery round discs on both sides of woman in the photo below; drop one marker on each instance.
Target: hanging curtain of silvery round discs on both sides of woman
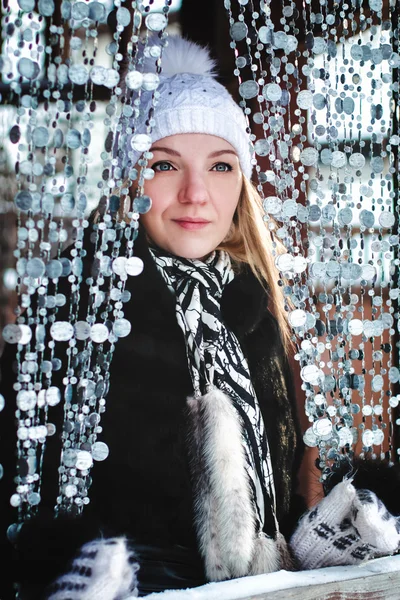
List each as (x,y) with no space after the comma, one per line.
(319,85)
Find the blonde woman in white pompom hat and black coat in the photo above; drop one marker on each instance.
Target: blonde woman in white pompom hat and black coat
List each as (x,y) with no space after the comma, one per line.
(201,423)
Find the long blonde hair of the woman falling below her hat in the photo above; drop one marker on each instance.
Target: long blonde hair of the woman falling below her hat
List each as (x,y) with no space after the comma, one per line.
(249,241)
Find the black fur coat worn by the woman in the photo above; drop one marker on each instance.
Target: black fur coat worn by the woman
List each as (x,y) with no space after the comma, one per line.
(143,490)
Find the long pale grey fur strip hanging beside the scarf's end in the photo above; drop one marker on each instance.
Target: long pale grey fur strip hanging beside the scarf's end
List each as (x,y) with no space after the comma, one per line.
(224,512)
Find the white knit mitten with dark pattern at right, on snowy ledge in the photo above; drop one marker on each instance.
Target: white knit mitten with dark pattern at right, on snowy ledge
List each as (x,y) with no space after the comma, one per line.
(345,528)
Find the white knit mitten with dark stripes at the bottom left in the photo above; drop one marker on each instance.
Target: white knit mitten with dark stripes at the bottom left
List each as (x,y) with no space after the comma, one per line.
(104,570)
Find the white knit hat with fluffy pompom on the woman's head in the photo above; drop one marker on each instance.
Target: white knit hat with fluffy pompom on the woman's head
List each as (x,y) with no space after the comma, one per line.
(191,101)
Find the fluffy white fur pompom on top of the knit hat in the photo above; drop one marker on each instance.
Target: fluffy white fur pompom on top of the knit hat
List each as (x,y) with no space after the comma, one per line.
(183,56)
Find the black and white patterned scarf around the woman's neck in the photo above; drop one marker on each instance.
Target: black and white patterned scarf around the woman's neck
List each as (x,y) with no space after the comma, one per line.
(215,358)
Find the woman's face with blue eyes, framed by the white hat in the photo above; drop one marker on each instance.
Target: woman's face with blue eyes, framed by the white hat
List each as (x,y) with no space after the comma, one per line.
(195,192)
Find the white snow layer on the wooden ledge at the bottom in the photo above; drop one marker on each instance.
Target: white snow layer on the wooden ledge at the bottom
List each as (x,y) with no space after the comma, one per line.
(239,589)
